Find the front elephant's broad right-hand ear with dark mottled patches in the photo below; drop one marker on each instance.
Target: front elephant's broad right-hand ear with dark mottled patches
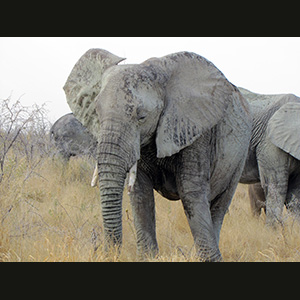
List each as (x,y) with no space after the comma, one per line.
(196,97)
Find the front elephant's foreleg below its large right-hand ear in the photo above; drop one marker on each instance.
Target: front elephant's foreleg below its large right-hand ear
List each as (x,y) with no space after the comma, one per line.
(193,183)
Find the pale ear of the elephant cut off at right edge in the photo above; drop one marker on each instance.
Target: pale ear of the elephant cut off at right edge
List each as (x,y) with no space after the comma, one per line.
(284,129)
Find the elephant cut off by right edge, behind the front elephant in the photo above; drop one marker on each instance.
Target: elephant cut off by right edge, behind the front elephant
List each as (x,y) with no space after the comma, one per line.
(274,153)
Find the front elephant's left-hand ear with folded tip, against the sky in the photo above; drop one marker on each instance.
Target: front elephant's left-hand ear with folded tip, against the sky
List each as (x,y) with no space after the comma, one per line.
(84,84)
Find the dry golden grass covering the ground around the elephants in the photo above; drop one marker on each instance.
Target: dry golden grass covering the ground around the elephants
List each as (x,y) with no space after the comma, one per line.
(54,215)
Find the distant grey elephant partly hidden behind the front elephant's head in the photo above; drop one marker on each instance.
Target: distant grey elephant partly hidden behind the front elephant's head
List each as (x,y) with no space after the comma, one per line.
(71,138)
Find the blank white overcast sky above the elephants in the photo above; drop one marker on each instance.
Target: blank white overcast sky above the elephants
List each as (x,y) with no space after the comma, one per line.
(37,68)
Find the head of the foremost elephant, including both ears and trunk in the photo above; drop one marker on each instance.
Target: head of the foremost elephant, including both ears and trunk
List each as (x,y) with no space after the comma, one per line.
(171,100)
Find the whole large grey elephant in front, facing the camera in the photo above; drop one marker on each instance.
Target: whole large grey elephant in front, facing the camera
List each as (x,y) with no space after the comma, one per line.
(186,127)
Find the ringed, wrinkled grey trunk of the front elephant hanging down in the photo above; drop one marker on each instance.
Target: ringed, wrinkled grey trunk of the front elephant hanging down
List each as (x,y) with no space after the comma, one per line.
(115,157)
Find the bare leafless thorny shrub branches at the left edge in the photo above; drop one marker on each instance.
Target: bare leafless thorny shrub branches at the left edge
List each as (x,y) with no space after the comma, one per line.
(23,133)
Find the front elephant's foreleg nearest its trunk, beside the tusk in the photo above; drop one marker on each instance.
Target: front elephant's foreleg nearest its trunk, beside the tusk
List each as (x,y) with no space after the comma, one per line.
(143,209)
